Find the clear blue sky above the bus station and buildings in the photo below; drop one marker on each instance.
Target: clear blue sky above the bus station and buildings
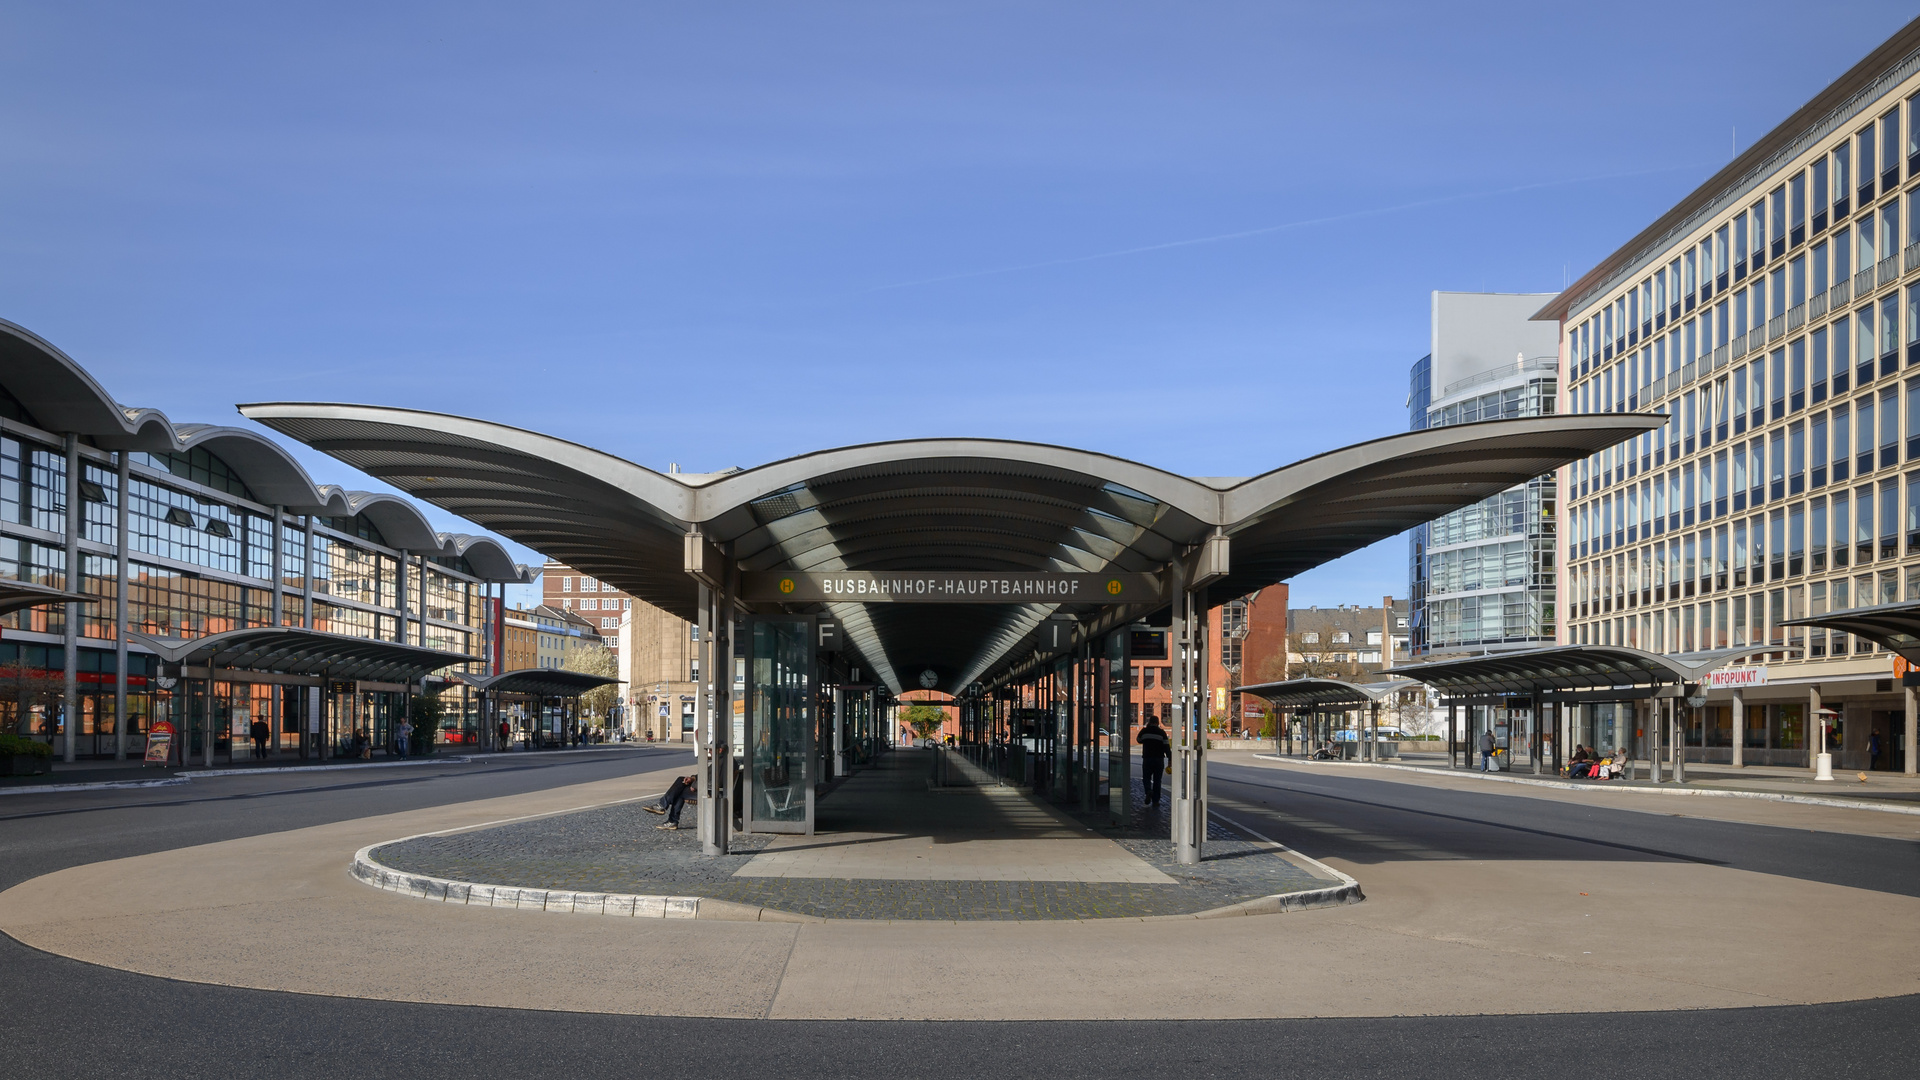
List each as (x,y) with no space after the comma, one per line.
(1197,235)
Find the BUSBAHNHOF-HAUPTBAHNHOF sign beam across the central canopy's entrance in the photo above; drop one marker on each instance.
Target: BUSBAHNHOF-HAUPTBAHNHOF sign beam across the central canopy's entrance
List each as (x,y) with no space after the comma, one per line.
(944,587)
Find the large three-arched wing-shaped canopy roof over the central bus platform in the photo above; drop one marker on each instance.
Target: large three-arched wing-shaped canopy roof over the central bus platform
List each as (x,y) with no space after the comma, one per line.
(934,504)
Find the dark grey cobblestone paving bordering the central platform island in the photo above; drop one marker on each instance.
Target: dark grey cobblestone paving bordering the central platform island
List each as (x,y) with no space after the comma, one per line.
(619,850)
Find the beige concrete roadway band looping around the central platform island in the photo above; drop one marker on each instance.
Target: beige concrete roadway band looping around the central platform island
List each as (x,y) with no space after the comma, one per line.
(1456,937)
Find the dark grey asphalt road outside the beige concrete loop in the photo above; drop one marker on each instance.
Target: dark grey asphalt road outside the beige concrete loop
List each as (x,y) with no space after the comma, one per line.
(72,1019)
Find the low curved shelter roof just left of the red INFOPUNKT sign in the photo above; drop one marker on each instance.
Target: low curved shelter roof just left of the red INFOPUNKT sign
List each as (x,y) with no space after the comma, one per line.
(1570,670)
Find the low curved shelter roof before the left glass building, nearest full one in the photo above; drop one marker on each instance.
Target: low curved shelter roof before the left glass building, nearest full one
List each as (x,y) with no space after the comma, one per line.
(295,650)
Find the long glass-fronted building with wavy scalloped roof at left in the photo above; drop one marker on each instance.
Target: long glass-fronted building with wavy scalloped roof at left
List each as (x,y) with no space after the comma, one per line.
(187,531)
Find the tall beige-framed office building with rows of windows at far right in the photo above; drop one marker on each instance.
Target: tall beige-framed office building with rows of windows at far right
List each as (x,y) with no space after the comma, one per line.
(1775,318)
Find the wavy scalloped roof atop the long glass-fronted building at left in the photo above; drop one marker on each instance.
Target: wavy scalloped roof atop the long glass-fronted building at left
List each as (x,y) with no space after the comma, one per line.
(62,399)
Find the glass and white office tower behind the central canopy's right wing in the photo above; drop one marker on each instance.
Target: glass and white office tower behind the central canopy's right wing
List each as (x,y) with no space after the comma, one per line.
(1481,579)
